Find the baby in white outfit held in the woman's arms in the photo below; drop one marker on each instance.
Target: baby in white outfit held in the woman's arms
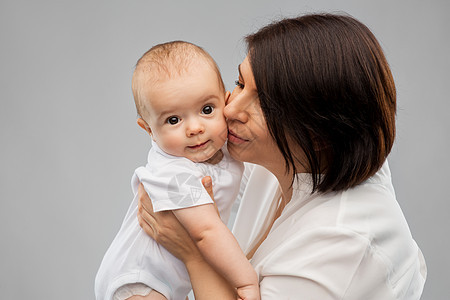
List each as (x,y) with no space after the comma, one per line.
(180,97)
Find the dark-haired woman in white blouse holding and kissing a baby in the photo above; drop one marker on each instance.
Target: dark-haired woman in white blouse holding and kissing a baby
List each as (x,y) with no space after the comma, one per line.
(314,105)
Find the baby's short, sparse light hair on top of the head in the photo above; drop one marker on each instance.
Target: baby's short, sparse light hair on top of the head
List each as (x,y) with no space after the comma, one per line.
(165,61)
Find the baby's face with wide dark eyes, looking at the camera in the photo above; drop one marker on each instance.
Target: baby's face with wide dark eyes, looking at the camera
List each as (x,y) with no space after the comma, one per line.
(186,113)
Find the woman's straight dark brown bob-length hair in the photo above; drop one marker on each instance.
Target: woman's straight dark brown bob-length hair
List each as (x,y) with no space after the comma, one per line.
(324,83)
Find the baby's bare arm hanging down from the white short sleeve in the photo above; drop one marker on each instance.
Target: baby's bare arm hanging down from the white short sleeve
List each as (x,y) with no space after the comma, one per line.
(219,247)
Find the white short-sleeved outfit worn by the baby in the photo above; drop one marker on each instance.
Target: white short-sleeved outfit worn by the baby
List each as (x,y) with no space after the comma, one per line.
(172,183)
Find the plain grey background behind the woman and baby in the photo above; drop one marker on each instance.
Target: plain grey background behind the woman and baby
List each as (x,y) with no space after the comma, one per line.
(69,140)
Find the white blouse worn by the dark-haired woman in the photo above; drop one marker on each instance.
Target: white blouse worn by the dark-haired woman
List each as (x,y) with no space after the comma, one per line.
(354,244)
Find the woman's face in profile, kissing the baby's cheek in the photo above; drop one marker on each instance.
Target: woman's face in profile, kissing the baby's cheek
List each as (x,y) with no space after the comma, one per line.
(249,139)
